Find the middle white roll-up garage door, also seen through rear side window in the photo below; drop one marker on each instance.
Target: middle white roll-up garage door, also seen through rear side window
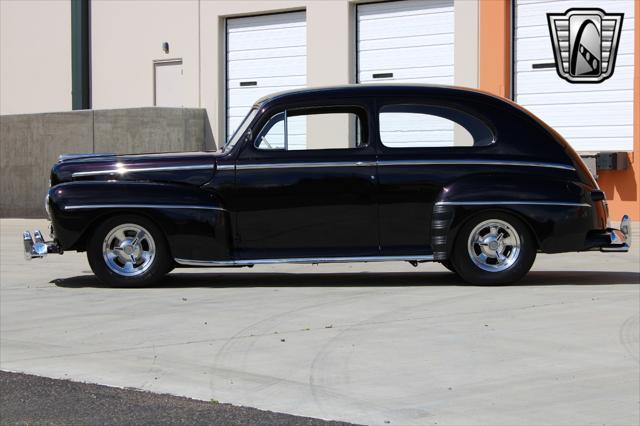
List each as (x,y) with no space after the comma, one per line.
(408,41)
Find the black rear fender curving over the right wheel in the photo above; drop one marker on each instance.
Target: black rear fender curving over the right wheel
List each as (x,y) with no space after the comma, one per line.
(558,210)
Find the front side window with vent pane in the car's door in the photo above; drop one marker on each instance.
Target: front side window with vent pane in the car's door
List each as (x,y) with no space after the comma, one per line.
(295,130)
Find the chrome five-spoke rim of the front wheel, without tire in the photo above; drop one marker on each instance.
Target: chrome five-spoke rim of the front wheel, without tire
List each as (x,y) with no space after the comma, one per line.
(128,250)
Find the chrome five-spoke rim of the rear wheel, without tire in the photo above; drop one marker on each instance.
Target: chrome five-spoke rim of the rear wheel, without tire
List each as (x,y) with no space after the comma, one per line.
(494,245)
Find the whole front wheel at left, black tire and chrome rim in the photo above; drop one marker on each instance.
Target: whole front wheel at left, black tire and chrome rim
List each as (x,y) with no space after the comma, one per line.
(128,251)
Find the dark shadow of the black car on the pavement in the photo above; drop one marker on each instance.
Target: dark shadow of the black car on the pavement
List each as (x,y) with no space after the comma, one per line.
(361,279)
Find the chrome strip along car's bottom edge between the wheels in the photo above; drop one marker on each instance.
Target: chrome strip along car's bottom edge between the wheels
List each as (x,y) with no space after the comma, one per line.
(249,262)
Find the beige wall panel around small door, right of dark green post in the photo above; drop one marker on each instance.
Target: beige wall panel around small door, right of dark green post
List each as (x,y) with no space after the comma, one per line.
(127,37)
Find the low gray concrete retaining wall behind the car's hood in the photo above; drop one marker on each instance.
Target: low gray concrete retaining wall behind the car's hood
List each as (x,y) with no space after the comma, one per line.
(31,143)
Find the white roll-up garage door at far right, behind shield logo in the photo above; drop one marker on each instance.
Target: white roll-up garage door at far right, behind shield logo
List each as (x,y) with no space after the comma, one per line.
(592,117)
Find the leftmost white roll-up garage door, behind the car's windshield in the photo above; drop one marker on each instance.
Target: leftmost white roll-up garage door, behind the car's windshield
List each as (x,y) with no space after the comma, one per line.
(265,54)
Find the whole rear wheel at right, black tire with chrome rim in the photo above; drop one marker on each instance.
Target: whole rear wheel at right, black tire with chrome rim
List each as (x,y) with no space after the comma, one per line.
(510,267)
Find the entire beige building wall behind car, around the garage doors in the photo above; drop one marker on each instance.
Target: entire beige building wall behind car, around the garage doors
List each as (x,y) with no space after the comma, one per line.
(127,37)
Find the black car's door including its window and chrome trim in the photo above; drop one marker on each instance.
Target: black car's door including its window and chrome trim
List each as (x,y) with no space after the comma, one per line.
(306,186)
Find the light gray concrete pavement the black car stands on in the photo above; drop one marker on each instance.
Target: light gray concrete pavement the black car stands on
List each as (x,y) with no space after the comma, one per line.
(365,343)
